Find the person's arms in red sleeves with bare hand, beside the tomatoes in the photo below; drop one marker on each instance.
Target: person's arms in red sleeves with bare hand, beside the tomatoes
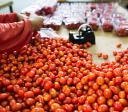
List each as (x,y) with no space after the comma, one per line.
(16,30)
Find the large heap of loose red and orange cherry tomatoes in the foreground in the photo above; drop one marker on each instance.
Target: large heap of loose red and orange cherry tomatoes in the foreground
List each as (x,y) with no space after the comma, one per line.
(54,75)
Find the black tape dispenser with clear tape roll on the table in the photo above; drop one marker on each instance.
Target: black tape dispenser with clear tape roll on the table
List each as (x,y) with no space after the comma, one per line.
(86,34)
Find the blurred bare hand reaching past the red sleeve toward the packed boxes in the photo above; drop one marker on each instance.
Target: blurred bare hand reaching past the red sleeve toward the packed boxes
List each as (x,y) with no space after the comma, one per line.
(36,21)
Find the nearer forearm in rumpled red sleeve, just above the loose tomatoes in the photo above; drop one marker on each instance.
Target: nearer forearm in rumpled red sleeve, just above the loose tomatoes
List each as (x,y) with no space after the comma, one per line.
(14,36)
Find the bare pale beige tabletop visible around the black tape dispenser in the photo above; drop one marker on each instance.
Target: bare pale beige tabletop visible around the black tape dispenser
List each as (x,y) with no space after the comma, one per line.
(105,41)
